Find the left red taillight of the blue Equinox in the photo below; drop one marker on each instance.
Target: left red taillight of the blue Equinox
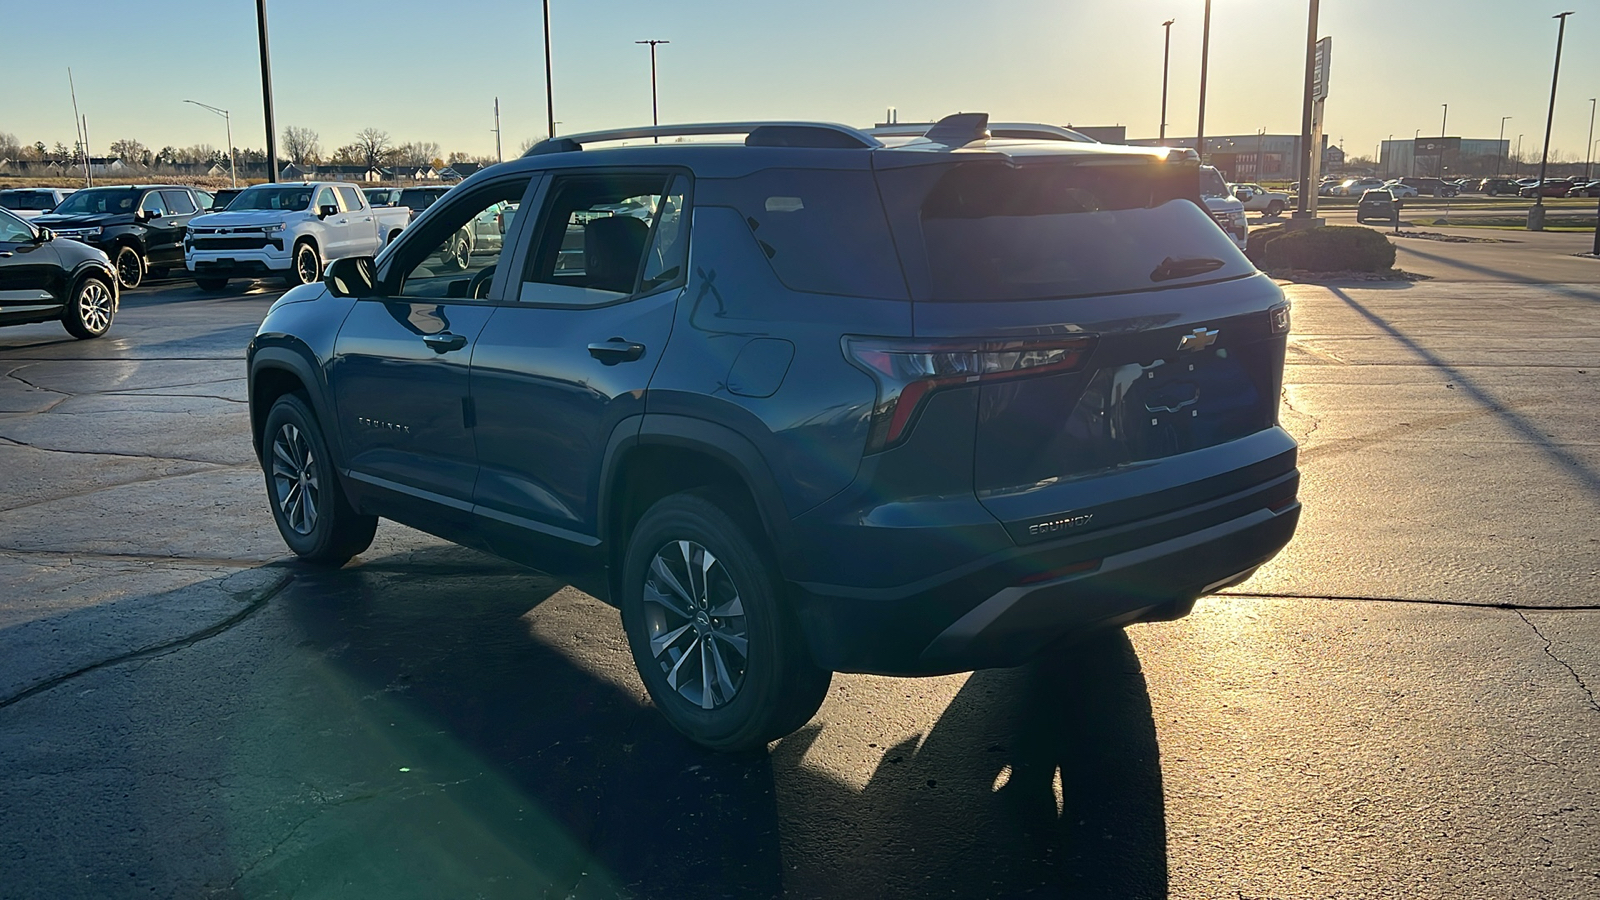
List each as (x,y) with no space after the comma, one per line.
(908,372)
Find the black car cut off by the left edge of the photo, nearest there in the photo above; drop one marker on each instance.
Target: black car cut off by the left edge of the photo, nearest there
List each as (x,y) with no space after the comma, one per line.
(44,279)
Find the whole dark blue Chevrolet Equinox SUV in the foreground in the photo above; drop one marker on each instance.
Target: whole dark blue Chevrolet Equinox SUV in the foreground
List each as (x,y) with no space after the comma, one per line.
(809,403)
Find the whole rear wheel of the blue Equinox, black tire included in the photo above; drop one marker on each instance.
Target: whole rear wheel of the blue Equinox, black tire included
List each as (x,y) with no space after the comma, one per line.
(742,704)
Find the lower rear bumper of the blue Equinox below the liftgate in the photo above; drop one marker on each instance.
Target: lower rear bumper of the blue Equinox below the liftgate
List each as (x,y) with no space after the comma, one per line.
(996,616)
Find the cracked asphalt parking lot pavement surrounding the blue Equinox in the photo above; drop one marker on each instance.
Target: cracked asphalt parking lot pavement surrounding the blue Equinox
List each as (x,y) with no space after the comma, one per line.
(1402,704)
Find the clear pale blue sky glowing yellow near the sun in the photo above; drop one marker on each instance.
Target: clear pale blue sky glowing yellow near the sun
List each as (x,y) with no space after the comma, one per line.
(430,71)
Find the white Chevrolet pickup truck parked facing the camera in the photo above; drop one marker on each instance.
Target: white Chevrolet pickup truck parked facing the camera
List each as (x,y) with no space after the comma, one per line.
(287,231)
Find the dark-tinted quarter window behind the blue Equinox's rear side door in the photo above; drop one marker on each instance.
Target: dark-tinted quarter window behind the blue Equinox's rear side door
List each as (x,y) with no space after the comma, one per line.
(823,231)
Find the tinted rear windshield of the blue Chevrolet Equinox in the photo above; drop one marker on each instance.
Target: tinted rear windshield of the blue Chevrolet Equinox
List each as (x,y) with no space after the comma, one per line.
(996,233)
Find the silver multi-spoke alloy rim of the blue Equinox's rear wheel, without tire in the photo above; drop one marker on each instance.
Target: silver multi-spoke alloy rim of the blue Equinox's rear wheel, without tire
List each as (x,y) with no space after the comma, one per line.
(697,624)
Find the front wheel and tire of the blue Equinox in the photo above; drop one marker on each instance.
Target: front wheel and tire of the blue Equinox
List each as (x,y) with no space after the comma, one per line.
(298,467)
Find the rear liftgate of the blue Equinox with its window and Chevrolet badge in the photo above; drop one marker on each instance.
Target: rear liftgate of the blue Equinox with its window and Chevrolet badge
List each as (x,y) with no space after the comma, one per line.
(1129,360)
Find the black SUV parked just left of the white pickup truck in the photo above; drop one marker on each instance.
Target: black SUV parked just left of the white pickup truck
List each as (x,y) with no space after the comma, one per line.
(140,227)
